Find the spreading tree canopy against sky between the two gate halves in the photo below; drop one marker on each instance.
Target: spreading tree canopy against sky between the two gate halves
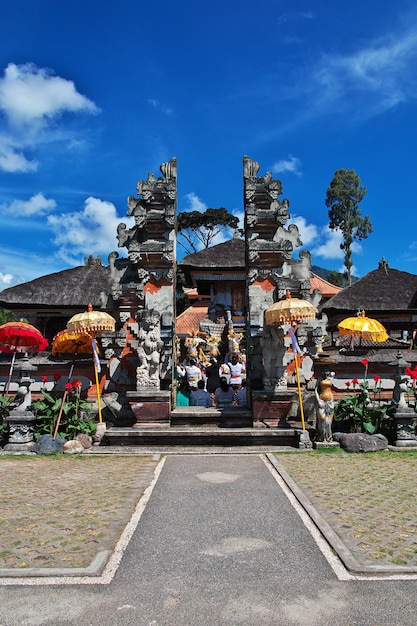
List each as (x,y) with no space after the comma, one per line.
(197,230)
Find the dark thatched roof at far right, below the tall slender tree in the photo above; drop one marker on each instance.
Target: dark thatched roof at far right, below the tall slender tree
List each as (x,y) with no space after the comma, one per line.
(383,289)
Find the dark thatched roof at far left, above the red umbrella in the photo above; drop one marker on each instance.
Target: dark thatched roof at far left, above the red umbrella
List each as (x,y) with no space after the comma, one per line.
(72,288)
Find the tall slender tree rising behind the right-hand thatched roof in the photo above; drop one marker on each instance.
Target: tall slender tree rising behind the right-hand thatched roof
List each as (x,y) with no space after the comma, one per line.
(343,198)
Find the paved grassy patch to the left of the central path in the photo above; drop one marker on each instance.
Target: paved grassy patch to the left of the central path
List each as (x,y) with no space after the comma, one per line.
(60,511)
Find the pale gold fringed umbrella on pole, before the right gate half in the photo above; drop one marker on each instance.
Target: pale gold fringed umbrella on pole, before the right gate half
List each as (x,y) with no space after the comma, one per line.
(288,311)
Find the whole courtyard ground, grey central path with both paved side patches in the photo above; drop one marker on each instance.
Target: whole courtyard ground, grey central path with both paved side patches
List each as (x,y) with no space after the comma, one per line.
(191,536)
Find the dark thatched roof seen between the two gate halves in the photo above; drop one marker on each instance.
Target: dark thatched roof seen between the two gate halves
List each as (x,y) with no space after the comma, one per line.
(224,255)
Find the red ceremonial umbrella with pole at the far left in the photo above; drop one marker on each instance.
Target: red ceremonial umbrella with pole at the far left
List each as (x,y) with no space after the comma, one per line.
(20,337)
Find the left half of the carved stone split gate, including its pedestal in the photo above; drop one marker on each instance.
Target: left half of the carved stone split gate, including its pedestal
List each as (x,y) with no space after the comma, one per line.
(143,286)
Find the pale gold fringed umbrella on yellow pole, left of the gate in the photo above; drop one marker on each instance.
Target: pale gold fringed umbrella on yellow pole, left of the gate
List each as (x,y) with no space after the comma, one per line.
(93,323)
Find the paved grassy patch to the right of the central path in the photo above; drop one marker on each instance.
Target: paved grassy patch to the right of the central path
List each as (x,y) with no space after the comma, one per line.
(369,500)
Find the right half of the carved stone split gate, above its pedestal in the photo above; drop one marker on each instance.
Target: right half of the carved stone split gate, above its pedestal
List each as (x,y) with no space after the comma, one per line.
(271,272)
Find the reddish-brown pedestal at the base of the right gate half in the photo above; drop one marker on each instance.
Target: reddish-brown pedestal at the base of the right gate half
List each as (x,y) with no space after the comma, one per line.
(272,407)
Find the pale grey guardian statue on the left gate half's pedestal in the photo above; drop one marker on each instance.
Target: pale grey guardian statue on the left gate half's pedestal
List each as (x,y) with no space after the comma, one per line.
(148,350)
